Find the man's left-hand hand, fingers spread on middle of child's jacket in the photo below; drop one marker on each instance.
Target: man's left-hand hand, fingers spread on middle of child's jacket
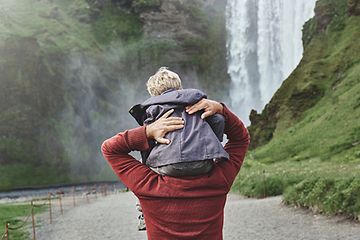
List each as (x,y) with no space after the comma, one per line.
(158,129)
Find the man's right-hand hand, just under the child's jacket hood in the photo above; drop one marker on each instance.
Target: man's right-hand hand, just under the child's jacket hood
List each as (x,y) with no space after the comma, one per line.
(210,108)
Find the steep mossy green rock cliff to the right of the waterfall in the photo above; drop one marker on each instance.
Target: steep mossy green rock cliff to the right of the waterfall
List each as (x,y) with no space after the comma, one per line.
(326,70)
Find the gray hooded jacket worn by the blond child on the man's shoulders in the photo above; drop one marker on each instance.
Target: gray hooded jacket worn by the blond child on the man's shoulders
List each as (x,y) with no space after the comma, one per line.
(198,140)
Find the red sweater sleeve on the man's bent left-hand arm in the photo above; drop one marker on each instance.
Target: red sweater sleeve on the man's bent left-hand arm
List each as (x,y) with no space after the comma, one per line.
(116,151)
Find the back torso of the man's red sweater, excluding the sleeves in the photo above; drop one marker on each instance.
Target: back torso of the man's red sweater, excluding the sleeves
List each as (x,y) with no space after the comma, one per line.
(193,208)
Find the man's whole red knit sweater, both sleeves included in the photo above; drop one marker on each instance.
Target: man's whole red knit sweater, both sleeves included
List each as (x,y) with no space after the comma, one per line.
(179,208)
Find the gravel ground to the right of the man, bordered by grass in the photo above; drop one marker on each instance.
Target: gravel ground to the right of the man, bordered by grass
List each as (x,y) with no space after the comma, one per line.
(265,219)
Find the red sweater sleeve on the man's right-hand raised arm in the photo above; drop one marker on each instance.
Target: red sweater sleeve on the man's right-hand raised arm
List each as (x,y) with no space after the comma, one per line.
(236,147)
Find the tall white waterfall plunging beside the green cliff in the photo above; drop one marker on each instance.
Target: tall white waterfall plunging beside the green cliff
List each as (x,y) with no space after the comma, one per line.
(264,46)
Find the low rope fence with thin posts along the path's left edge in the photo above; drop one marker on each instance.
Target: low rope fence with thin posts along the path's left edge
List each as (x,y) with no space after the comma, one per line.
(50,201)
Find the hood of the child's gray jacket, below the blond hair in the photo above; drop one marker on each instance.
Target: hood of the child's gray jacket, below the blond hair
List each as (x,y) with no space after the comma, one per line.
(178,97)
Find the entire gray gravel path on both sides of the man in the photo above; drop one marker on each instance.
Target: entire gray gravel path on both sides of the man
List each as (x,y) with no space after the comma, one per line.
(114,217)
